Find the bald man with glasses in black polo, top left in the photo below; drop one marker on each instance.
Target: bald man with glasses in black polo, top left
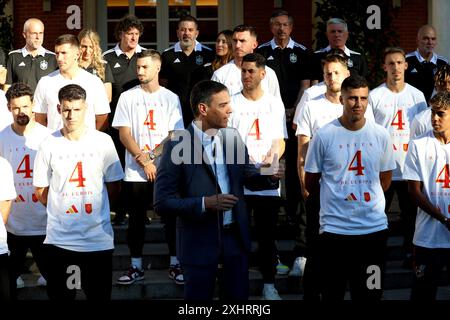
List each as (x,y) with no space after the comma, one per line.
(32,62)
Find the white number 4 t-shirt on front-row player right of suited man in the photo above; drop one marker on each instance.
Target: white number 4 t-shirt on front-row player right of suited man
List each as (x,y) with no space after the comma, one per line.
(351,197)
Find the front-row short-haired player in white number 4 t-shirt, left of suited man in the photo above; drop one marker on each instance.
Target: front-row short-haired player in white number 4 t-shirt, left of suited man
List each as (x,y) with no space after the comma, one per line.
(76,170)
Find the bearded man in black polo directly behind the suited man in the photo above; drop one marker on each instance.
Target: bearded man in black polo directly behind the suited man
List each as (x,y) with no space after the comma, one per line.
(181,60)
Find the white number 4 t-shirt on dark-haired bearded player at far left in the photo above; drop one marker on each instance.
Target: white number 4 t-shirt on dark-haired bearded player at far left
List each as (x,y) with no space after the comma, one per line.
(28,216)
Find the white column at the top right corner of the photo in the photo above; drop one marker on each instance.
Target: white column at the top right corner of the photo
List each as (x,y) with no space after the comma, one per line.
(439,13)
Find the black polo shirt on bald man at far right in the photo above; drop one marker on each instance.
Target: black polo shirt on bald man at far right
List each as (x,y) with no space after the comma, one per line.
(420,73)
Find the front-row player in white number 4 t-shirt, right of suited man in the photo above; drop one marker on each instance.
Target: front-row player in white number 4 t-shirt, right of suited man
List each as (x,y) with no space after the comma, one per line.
(349,162)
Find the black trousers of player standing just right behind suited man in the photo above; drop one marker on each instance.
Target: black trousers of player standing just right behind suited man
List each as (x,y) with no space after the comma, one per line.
(265,214)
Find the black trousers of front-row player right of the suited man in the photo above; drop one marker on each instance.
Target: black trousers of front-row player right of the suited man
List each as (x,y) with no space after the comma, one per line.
(352,259)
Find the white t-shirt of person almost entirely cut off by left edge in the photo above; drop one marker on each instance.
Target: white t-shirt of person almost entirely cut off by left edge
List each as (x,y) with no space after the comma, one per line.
(7,192)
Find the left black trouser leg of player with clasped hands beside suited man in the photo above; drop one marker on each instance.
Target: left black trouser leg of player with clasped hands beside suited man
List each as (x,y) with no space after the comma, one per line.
(139,195)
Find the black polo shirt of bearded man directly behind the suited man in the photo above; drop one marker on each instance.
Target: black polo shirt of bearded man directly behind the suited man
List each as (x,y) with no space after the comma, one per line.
(177,69)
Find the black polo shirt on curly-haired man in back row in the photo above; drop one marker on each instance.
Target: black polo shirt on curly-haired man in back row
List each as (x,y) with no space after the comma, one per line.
(123,70)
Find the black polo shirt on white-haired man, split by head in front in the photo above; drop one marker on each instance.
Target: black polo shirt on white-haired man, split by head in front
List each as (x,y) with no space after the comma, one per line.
(356,63)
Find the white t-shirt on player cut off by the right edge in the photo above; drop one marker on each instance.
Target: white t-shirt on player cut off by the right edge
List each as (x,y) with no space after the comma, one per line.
(428,161)
